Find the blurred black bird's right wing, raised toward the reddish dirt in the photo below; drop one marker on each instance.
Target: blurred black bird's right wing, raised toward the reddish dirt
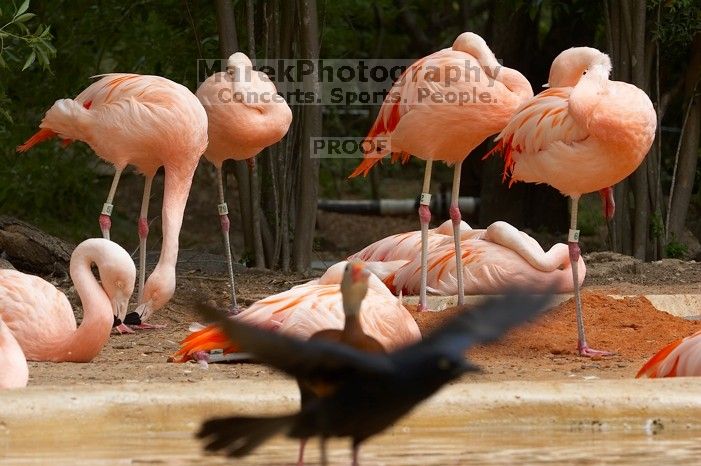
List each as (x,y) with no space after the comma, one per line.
(482,324)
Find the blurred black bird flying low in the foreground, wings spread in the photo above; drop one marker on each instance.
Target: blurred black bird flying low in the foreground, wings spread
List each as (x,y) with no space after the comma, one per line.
(364,392)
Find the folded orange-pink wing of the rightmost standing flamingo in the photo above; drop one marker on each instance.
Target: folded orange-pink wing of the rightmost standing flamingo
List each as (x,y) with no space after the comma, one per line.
(540,122)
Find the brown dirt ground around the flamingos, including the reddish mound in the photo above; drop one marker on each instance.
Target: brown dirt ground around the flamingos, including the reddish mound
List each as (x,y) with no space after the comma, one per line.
(542,350)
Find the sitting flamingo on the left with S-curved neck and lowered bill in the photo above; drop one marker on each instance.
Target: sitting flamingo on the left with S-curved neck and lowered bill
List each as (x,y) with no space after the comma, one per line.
(40,316)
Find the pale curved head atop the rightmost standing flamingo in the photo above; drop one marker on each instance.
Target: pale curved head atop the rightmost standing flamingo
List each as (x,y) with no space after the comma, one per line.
(569,67)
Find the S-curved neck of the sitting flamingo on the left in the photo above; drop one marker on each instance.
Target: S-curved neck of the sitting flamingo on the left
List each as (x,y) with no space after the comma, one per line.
(92,334)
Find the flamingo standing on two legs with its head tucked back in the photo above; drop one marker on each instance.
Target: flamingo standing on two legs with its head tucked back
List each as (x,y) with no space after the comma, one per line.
(421,116)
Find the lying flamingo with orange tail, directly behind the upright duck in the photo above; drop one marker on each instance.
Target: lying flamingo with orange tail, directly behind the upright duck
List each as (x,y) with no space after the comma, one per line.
(306,309)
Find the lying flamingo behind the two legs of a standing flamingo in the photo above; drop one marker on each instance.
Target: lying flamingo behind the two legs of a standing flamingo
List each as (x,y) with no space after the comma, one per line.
(493,259)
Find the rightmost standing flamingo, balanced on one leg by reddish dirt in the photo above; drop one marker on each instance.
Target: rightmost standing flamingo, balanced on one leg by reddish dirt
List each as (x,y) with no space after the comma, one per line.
(584,134)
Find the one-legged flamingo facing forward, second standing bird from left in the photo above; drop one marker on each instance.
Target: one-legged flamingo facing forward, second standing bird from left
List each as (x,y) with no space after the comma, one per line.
(245,115)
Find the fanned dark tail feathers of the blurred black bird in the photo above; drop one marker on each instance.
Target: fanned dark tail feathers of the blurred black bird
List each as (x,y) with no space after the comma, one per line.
(239,435)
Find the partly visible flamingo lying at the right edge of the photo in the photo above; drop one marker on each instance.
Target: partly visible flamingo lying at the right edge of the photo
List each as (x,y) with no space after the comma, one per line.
(681,358)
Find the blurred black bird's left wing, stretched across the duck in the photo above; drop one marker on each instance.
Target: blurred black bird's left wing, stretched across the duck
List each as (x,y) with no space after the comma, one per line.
(312,359)
